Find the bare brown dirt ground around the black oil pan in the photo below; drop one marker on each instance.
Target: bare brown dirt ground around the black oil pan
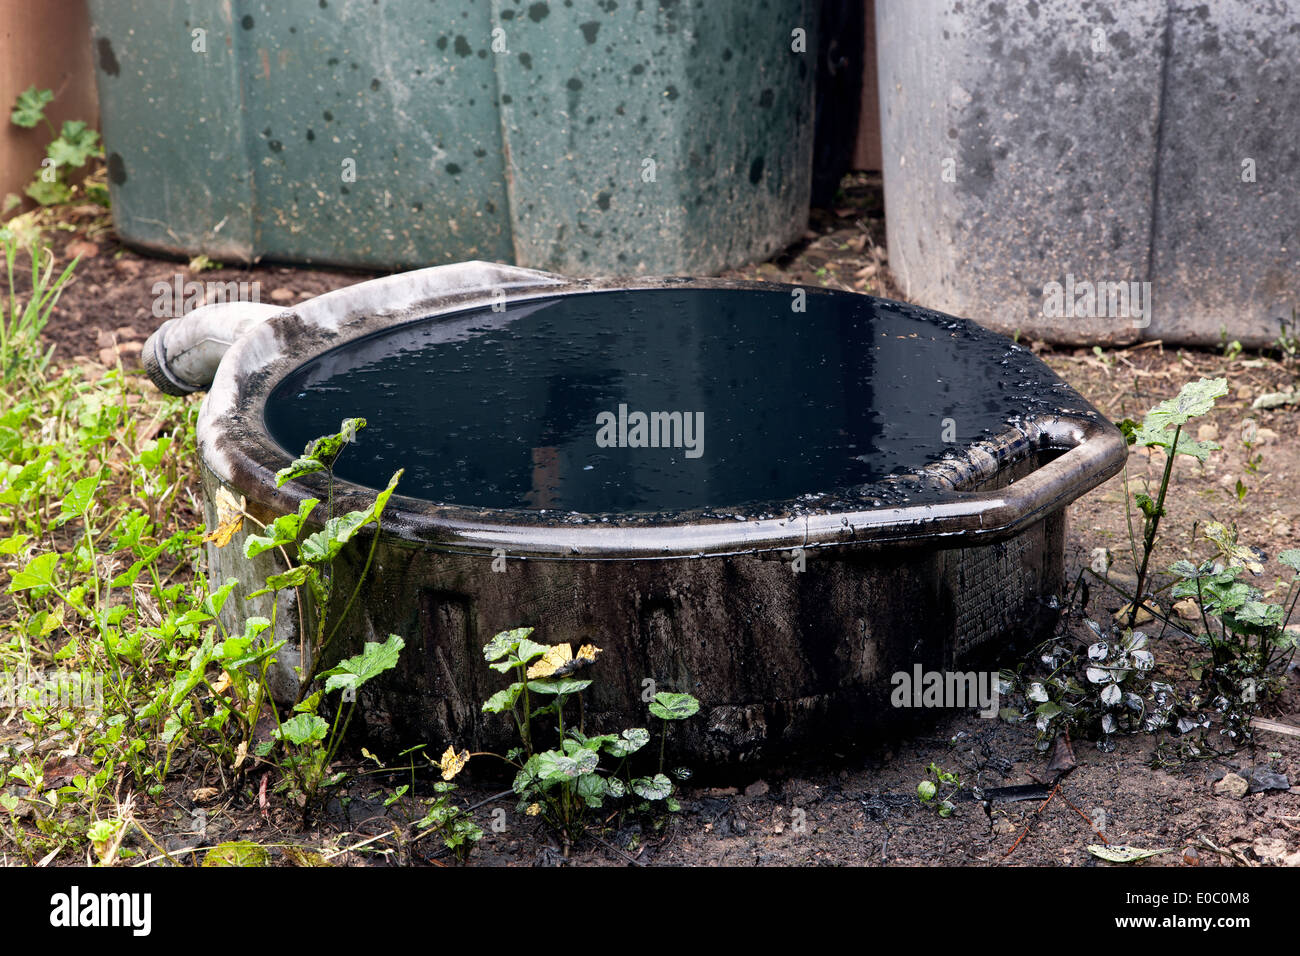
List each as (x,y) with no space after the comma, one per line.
(860,811)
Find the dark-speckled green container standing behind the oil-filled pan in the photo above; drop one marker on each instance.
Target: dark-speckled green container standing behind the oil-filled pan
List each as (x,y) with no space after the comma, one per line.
(622,136)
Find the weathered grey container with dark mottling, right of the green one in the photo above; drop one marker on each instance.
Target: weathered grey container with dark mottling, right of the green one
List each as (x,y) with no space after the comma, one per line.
(1099,172)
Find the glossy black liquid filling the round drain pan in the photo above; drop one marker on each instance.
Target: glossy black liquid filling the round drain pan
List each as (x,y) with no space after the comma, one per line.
(505,409)
